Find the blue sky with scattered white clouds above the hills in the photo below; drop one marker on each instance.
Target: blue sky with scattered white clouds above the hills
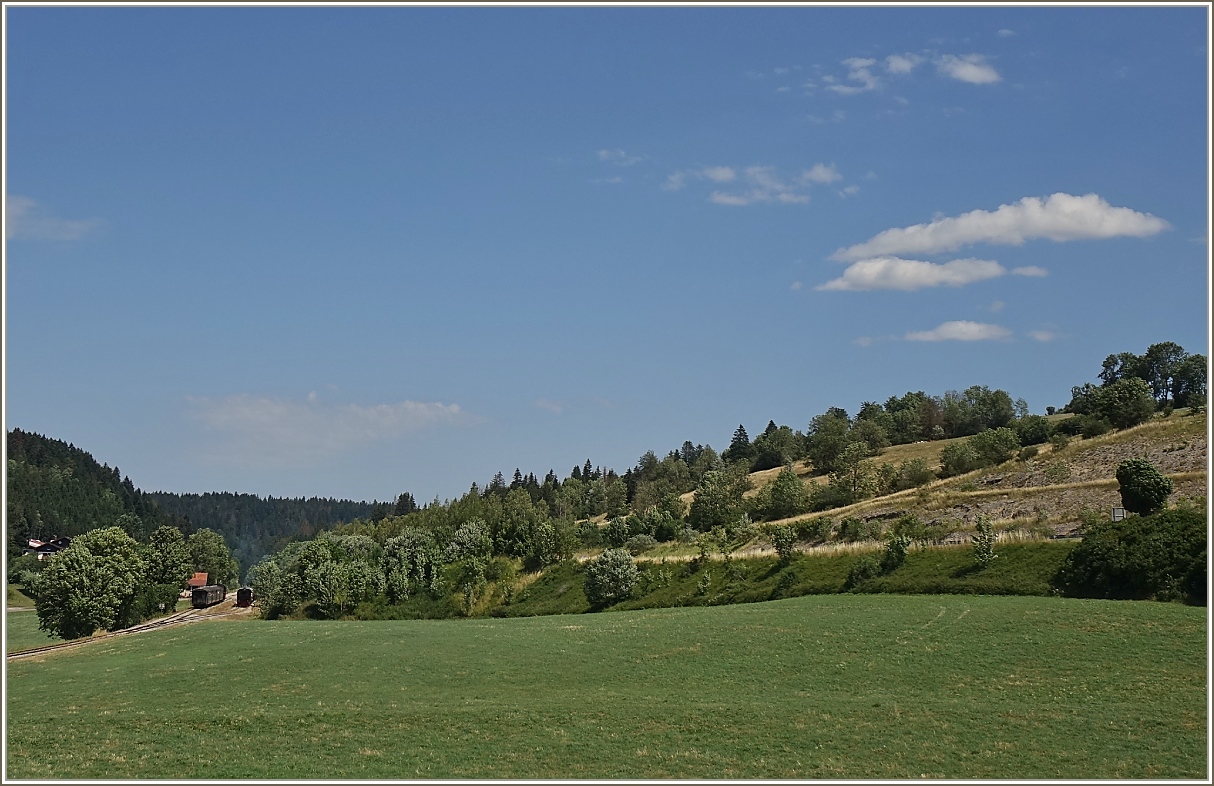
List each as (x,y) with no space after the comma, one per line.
(356,252)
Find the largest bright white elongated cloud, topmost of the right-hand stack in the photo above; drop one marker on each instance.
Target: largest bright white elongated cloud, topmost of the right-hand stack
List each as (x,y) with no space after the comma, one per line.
(1058,218)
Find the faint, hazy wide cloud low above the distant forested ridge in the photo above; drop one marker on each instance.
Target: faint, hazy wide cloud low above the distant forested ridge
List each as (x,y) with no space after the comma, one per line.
(277,433)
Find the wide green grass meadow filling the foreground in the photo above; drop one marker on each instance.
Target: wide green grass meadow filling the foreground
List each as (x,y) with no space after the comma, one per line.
(838,687)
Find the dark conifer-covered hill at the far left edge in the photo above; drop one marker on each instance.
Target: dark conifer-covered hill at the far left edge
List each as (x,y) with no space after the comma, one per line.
(58,490)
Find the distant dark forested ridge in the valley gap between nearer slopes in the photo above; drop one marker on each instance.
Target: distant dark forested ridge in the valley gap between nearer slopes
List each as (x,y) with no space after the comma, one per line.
(256,527)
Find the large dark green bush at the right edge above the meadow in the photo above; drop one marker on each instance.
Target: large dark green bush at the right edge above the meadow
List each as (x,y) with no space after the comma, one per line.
(1160,557)
